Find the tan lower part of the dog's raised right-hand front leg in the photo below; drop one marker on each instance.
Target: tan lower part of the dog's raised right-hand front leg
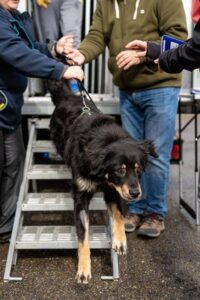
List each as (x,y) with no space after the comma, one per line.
(118,232)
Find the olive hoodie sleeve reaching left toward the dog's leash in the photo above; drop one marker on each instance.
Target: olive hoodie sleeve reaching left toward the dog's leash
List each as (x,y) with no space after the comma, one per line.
(94,44)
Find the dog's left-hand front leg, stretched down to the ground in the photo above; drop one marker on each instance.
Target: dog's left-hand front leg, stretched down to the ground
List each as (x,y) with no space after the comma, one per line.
(82,226)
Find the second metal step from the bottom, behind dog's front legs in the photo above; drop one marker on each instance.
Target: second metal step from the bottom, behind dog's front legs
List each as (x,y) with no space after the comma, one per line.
(58,202)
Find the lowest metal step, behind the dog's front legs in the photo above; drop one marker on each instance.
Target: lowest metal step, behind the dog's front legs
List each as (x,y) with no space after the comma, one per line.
(60,237)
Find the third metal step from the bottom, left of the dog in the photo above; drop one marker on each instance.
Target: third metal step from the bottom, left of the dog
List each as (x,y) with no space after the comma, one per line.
(49,172)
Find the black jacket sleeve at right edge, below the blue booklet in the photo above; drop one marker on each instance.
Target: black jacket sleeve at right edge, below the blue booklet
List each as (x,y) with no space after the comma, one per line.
(186,56)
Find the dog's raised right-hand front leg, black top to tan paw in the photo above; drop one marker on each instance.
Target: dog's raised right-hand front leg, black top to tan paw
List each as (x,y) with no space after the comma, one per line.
(119,243)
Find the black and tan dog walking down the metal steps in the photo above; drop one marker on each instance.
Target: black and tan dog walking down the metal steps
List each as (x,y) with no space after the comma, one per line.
(101,155)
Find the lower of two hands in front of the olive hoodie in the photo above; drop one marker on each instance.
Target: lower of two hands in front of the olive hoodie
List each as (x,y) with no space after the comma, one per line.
(127,59)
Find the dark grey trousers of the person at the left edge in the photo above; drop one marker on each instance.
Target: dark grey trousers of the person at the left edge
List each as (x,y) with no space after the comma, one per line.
(12,155)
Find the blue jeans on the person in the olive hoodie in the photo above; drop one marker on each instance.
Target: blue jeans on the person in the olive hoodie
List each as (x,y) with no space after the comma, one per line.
(151,114)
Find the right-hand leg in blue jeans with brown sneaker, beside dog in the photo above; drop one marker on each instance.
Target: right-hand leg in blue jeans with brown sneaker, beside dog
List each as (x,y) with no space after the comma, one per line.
(160,108)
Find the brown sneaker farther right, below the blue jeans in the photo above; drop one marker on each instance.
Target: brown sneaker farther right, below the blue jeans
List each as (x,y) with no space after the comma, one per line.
(152,226)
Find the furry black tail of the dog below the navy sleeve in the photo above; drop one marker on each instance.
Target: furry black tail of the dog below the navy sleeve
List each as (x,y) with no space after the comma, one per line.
(58,90)
